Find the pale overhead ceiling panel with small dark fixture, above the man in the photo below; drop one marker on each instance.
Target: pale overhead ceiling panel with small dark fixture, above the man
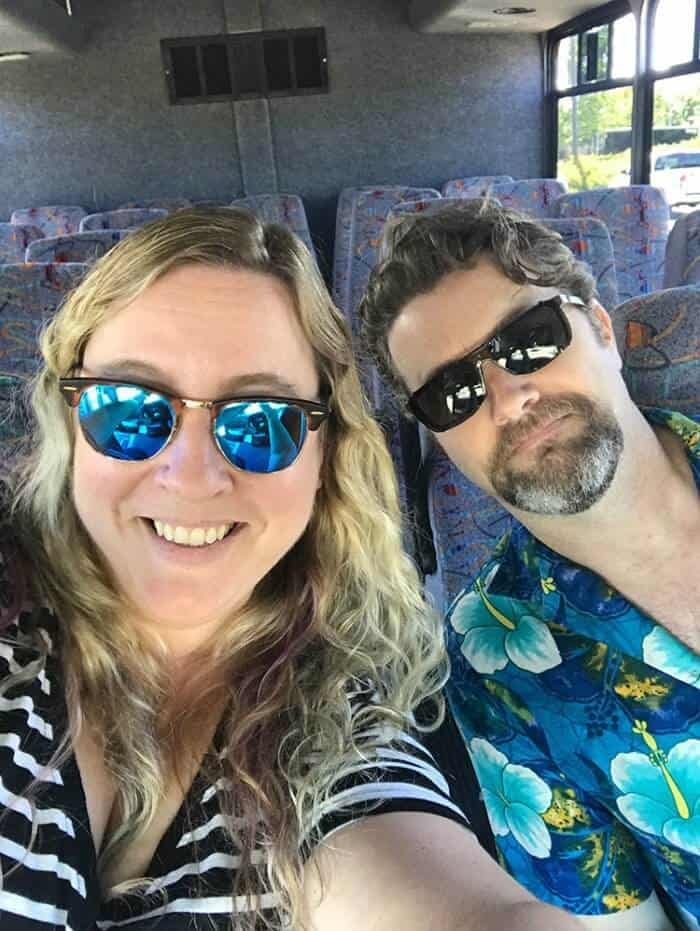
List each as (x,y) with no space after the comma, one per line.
(456,16)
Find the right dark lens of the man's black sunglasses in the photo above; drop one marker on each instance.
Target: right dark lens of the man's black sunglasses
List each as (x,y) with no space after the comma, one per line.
(533,340)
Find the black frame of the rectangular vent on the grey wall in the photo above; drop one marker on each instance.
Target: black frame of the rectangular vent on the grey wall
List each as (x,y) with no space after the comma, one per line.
(233,42)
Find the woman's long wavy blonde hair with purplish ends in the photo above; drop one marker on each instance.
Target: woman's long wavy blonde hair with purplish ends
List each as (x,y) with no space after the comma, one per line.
(341,614)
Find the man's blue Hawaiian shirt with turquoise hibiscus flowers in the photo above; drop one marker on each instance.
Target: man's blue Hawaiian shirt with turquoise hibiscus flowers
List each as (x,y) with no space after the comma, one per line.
(582,718)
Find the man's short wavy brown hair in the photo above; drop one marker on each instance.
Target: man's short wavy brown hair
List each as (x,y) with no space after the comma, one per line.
(418,250)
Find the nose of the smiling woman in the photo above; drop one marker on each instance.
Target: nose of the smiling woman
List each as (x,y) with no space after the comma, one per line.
(192,465)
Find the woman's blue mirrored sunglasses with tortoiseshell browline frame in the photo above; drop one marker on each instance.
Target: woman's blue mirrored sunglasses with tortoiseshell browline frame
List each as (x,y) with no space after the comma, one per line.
(133,422)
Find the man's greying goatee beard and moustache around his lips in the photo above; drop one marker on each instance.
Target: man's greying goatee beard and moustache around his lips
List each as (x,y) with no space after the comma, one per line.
(565,476)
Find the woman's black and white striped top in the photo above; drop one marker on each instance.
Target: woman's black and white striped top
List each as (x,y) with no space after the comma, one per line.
(55,885)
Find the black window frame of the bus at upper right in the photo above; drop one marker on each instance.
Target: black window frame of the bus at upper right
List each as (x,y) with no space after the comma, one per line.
(643,82)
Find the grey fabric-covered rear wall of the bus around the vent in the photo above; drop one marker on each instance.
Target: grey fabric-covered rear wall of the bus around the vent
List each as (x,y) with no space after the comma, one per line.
(96,128)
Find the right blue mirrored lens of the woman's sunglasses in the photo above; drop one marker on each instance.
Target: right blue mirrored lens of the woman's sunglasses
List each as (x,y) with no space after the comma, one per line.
(261,436)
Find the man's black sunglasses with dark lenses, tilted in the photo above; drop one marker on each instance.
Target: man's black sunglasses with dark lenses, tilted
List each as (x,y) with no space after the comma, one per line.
(524,345)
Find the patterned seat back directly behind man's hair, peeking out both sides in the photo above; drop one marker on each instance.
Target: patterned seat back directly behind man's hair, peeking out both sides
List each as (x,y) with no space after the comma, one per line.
(587,238)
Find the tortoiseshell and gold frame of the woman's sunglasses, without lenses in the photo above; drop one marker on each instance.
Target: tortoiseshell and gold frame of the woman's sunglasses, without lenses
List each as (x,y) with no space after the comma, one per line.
(315,412)
